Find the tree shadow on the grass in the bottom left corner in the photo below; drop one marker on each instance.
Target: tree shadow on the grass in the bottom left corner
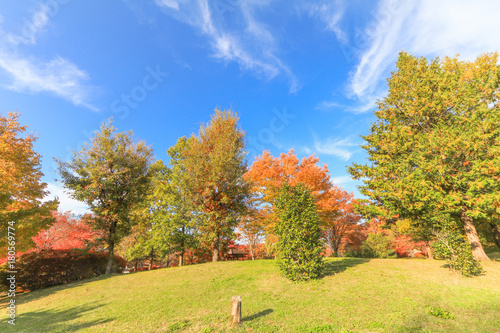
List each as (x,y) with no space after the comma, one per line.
(54,320)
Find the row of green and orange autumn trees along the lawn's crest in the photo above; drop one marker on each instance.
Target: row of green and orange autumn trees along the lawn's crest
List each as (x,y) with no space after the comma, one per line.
(434,156)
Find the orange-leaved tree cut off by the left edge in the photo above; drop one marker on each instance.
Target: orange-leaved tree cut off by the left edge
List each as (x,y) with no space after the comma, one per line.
(21,187)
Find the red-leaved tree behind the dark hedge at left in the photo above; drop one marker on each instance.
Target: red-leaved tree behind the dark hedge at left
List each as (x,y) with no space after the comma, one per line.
(68,232)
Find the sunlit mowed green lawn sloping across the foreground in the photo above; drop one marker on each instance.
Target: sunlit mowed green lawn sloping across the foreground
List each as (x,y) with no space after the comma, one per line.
(356,295)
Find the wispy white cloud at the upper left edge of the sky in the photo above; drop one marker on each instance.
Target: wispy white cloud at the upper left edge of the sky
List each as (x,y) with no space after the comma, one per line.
(22,73)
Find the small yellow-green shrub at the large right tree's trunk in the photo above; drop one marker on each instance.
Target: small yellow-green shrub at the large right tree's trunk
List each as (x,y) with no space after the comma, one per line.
(453,246)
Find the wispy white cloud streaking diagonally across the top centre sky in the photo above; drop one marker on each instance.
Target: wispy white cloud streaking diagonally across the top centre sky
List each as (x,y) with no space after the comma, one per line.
(249,43)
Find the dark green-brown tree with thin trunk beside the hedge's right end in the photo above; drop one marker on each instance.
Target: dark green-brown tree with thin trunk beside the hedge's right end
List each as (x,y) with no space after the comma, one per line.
(111,175)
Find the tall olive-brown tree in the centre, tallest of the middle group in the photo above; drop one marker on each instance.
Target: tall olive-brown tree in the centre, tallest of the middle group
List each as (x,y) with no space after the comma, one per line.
(215,164)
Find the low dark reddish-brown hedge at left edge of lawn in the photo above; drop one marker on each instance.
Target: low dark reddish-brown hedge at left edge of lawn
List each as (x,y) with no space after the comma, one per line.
(45,268)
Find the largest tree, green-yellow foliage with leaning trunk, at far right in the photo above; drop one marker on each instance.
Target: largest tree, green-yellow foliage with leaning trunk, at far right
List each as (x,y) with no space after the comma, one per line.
(434,151)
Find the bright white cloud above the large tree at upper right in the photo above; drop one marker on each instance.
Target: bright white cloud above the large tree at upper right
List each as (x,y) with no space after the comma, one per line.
(423,28)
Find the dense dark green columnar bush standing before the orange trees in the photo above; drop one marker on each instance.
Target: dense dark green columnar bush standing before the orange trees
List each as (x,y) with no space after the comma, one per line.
(298,229)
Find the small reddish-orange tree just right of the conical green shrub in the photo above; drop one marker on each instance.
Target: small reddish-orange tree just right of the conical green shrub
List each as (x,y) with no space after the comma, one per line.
(337,227)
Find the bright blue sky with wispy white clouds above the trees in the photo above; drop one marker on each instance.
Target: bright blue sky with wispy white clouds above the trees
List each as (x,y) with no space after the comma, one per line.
(301,74)
